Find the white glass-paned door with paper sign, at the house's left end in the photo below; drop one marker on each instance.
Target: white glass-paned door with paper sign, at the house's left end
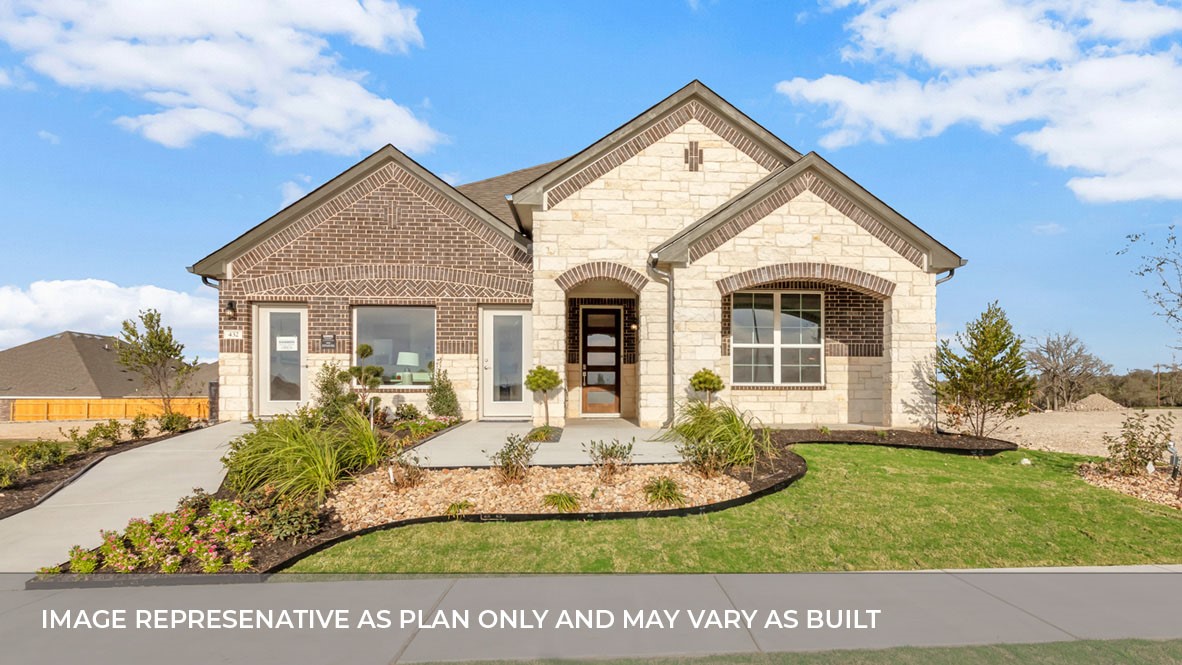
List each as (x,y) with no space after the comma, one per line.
(282,349)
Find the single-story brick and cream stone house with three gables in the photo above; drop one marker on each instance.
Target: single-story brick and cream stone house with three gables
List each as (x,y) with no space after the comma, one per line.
(689,238)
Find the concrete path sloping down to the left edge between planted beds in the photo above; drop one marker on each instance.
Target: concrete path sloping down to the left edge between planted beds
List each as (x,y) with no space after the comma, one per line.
(131,485)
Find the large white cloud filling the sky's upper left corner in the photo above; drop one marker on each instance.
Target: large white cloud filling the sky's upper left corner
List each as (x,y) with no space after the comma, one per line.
(229,69)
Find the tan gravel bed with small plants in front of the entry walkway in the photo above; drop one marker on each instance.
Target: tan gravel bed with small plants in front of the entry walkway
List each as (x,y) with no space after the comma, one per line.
(373,500)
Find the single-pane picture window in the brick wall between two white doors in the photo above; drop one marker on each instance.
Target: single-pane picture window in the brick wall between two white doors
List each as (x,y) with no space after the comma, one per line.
(404,342)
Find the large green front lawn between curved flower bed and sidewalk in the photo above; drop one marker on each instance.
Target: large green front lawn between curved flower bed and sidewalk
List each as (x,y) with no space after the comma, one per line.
(860,508)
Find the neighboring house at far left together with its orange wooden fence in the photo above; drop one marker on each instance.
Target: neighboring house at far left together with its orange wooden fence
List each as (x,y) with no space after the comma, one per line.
(77,376)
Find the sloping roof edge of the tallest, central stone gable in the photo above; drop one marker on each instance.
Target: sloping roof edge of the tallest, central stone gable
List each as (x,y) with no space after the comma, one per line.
(532,193)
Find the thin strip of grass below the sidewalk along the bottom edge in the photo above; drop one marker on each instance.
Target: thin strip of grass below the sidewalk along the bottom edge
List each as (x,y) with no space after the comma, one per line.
(1107,653)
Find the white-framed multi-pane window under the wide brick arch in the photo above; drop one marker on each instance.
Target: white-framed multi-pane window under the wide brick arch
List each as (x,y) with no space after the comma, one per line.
(777,338)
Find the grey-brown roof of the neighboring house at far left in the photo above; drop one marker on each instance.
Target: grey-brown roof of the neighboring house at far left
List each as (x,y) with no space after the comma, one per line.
(73,364)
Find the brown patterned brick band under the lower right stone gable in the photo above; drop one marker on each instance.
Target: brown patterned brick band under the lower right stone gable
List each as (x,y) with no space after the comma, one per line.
(789,192)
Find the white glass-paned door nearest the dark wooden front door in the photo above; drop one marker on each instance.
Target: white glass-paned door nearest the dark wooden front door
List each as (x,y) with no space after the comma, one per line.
(504,353)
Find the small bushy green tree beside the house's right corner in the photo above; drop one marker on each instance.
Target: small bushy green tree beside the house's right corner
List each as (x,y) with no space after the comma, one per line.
(989,382)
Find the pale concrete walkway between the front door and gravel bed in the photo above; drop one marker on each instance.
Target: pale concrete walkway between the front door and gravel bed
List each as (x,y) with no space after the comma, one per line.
(471,444)
